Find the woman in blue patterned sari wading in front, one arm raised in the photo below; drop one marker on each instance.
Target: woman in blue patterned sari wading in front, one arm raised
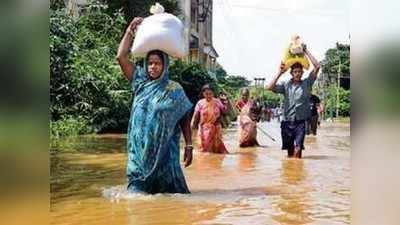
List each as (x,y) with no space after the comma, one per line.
(160,111)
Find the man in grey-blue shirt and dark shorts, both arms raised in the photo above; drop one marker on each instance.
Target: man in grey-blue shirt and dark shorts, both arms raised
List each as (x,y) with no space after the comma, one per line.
(296,104)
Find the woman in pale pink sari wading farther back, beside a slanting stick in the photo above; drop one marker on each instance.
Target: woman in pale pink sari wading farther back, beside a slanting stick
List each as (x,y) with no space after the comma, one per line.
(248,118)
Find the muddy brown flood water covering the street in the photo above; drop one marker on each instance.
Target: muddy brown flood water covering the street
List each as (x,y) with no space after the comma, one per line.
(249,186)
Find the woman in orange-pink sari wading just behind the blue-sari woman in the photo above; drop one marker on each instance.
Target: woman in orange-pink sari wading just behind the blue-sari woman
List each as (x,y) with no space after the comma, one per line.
(207,118)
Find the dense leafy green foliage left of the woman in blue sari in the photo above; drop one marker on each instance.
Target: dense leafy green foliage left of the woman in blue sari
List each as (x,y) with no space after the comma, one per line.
(85,80)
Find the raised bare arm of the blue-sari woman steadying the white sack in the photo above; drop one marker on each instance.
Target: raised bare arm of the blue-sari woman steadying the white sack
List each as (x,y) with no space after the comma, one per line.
(127,67)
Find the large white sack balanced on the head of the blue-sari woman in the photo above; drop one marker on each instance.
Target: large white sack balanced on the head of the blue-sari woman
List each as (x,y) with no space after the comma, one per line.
(162,31)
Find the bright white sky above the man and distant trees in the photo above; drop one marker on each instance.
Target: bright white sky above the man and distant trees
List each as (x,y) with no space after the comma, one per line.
(251,35)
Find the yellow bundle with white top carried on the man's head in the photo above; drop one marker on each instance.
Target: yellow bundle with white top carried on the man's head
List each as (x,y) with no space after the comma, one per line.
(294,54)
